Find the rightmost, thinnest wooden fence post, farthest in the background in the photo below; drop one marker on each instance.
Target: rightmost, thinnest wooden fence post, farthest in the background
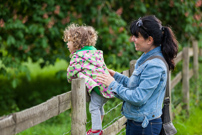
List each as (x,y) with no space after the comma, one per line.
(195,51)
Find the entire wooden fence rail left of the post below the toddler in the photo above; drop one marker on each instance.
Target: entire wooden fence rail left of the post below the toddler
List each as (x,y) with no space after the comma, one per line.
(17,122)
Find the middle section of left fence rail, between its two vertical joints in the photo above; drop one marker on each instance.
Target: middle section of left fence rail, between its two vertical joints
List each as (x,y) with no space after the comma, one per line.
(37,114)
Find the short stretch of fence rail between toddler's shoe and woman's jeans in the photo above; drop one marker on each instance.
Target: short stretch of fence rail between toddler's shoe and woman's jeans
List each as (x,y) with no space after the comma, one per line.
(116,127)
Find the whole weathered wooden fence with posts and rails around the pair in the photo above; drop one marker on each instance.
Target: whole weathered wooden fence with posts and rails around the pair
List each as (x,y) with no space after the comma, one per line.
(76,101)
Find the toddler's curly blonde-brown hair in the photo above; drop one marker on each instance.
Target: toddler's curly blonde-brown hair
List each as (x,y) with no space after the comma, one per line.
(80,35)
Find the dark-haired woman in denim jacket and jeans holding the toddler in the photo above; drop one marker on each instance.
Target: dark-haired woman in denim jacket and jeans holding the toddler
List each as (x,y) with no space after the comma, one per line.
(144,91)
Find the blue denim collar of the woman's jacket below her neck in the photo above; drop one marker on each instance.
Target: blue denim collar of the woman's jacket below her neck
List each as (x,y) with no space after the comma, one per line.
(155,51)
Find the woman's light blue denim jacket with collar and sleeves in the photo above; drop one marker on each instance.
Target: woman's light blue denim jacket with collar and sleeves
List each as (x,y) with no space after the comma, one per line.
(143,93)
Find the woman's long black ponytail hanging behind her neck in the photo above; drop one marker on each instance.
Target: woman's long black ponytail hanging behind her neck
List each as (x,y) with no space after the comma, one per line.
(169,46)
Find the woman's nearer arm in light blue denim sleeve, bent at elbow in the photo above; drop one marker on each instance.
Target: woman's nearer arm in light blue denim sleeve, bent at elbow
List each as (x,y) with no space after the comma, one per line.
(149,81)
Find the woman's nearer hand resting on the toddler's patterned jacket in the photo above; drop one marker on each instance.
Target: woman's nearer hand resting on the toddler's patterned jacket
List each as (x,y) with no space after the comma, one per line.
(105,79)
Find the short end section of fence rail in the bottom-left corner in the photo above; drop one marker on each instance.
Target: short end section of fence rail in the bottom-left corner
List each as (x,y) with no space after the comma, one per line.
(7,125)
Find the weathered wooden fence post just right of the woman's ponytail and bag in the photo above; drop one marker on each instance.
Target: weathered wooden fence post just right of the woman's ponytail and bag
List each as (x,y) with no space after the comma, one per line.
(185,79)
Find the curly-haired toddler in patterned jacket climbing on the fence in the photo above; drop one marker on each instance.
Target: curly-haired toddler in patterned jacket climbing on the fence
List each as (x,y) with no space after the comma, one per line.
(87,62)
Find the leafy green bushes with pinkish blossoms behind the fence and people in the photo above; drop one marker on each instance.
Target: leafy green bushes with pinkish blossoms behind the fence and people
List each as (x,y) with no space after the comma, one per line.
(31,40)
